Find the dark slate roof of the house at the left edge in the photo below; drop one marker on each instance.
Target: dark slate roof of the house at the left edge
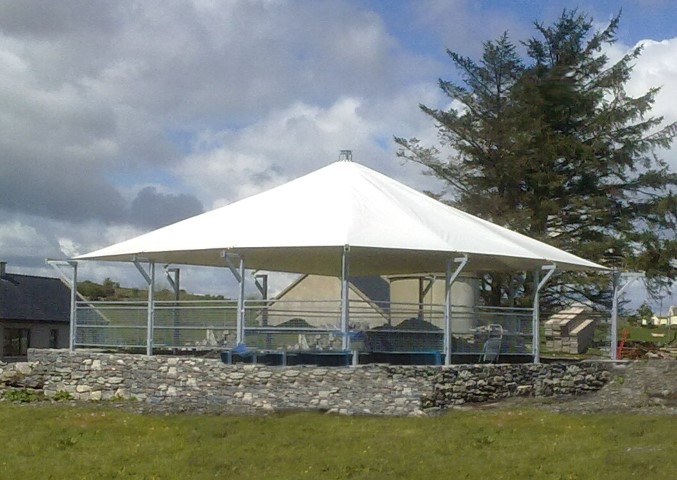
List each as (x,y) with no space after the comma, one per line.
(27,297)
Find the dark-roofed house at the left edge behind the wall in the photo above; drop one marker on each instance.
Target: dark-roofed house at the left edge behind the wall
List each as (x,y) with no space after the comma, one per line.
(34,312)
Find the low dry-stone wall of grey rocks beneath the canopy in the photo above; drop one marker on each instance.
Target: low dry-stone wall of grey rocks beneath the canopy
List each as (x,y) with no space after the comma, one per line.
(197,384)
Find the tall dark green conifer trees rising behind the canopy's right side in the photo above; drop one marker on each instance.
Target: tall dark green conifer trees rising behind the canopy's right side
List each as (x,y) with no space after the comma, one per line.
(552,146)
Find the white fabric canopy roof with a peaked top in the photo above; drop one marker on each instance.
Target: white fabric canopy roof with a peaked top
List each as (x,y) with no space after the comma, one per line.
(303,226)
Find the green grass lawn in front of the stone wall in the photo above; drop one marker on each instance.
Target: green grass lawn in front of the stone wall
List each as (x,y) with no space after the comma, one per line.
(89,443)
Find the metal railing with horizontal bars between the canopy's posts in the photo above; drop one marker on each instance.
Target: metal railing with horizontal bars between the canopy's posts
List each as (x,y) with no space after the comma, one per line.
(300,325)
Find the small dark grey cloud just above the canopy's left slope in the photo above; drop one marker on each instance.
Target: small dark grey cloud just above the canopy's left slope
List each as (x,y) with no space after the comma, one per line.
(152,209)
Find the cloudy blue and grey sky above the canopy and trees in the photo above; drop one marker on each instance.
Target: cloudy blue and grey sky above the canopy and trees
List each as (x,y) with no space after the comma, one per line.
(119,117)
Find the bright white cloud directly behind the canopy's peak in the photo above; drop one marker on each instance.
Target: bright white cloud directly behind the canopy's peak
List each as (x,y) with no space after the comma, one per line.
(228,165)
